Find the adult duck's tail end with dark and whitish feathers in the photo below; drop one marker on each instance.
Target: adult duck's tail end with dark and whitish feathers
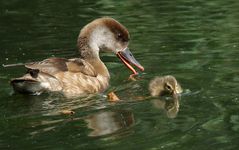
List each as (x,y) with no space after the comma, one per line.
(35,83)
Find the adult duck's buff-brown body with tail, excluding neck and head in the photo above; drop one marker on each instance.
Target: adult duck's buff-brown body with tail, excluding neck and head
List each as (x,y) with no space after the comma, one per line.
(73,77)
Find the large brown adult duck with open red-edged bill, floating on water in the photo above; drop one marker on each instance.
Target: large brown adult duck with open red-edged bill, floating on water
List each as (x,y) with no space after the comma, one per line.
(86,74)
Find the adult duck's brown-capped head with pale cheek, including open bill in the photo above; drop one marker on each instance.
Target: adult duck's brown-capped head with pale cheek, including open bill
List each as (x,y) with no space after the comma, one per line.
(107,34)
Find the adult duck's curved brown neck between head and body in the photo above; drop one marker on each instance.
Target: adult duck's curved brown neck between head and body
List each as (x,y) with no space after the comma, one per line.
(90,53)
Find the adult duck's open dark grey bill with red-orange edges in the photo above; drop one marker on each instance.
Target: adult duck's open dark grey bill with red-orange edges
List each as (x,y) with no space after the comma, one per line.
(128,59)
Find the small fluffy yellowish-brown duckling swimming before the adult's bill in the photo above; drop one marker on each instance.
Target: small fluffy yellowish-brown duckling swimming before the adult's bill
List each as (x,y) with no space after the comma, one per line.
(164,85)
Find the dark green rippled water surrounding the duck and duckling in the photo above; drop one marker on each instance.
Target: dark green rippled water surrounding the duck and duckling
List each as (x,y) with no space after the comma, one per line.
(196,41)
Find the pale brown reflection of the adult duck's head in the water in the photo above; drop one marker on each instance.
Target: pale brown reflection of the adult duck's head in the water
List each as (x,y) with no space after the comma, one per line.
(108,122)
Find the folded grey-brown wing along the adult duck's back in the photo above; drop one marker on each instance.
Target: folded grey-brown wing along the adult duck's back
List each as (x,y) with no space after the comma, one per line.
(53,66)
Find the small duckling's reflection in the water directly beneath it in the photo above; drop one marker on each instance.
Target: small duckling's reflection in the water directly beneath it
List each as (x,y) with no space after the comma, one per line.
(170,106)
